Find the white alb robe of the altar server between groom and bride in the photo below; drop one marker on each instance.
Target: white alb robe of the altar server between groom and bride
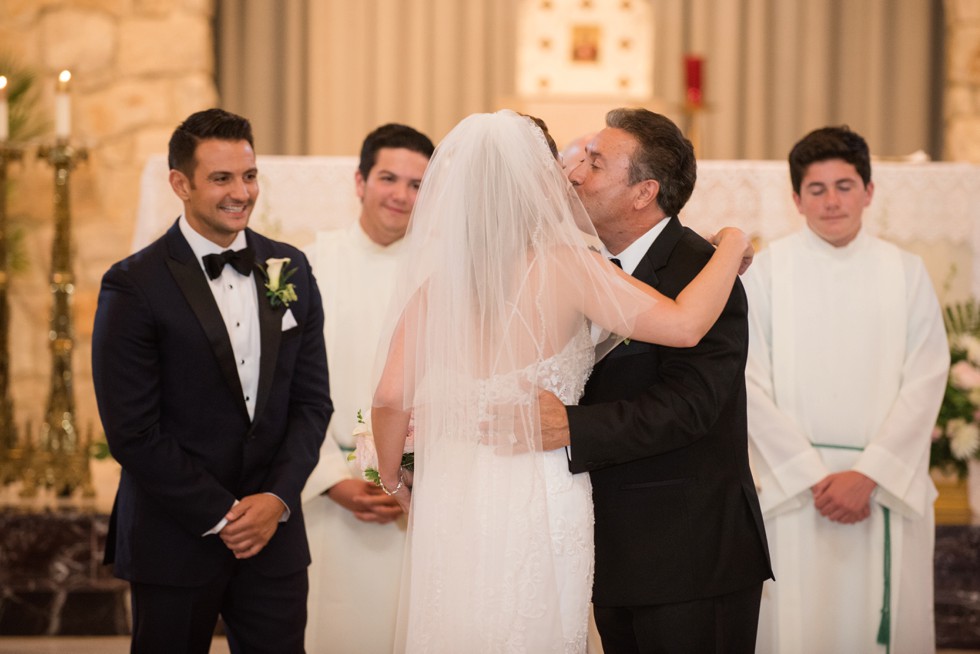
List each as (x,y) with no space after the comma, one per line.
(356,569)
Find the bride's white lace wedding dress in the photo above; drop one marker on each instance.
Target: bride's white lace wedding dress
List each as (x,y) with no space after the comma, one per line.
(526,584)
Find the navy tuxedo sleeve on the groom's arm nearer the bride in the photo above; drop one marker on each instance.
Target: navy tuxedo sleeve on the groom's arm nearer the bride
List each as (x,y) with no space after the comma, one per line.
(309,404)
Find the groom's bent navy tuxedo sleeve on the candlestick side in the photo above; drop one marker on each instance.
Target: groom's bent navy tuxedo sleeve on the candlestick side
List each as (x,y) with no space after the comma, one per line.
(126,370)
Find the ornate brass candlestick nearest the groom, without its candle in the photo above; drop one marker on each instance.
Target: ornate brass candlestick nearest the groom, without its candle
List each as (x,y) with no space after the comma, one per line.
(63,456)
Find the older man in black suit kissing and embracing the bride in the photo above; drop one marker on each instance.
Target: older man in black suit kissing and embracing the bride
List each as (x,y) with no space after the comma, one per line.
(680,545)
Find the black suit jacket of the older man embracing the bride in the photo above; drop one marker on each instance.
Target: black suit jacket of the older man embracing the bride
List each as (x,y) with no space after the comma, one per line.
(663,432)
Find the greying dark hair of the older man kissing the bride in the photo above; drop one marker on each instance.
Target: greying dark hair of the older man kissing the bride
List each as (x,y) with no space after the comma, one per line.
(662,154)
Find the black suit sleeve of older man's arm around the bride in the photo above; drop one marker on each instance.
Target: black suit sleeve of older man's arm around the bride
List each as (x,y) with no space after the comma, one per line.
(692,385)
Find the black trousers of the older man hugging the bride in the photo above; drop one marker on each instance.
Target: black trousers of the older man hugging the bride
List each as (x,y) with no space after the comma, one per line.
(724,624)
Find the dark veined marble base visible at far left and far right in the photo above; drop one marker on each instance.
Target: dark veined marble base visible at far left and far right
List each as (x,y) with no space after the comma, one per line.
(52,581)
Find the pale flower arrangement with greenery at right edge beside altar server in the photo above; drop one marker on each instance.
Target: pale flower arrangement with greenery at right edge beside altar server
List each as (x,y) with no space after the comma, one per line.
(956,437)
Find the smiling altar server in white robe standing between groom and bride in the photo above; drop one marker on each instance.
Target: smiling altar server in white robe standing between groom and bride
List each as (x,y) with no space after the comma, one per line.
(357,532)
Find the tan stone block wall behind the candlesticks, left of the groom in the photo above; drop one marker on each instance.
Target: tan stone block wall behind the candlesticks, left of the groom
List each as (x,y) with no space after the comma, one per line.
(138,68)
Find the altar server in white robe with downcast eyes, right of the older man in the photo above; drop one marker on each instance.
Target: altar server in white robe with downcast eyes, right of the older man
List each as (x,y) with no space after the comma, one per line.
(847,366)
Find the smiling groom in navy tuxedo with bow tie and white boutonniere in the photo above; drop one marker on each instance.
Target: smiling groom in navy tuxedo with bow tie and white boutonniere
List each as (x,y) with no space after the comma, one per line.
(211,380)
